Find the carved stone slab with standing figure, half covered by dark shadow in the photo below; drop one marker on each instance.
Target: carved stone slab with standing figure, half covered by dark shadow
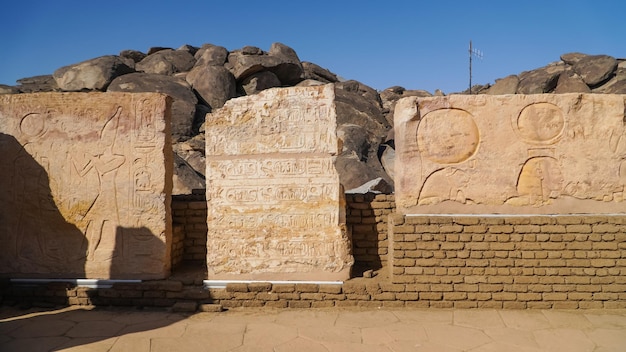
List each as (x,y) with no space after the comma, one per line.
(85,183)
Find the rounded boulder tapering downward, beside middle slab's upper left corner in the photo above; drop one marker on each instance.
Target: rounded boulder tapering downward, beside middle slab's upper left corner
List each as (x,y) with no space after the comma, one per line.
(214,84)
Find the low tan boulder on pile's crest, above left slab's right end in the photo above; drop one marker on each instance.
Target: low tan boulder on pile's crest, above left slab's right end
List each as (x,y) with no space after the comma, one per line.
(166,62)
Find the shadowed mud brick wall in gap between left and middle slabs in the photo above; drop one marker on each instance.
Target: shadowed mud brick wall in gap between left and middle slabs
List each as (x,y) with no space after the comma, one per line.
(189,213)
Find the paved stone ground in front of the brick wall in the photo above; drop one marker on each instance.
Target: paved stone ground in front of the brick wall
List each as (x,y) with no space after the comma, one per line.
(394,330)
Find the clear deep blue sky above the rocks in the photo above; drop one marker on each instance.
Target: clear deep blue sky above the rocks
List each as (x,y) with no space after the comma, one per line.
(414,44)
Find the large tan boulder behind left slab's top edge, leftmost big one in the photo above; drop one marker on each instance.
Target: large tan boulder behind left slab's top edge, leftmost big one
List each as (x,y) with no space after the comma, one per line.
(94,74)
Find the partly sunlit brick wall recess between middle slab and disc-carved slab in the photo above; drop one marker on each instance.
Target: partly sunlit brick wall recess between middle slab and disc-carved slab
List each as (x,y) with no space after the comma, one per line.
(366,216)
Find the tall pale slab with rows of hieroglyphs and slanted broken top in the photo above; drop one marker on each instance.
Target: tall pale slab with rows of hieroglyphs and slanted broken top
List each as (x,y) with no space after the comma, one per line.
(276,208)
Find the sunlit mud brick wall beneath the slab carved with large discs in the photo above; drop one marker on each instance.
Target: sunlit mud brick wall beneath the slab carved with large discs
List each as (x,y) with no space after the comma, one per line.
(512,262)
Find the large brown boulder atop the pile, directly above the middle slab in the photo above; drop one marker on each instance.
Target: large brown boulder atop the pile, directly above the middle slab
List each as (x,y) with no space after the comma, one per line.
(281,60)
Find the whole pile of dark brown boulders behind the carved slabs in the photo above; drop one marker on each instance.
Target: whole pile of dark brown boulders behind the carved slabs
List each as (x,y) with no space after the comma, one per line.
(201,79)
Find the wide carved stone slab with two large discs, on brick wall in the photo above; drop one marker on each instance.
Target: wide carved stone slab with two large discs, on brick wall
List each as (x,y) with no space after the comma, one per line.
(517,154)
